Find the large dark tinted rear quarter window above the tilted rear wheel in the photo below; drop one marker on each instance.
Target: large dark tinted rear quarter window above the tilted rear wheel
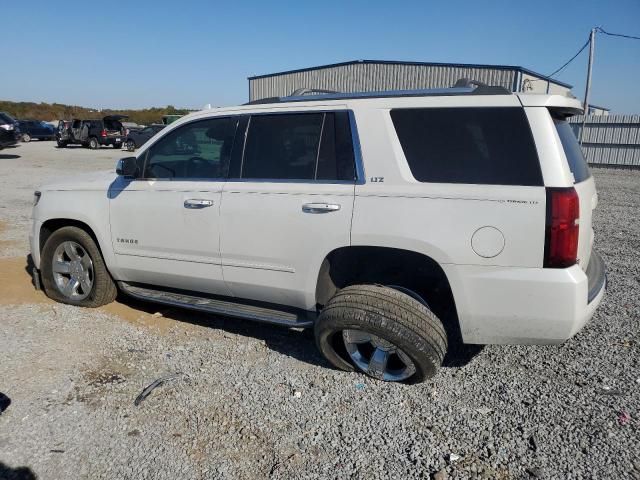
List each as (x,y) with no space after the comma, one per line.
(468,145)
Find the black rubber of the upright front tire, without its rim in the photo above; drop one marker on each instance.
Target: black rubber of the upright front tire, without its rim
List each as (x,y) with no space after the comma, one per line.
(103,290)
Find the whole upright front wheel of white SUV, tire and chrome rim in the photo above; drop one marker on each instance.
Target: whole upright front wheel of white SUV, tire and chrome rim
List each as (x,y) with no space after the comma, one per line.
(73,270)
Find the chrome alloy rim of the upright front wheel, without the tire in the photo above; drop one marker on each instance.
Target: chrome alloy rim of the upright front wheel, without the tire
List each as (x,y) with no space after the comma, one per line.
(72,270)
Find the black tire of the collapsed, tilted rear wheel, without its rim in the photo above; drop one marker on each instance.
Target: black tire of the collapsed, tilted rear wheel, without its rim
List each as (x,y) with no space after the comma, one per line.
(389,314)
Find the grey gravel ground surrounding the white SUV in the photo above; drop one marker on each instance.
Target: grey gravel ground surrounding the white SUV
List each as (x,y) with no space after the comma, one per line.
(255,401)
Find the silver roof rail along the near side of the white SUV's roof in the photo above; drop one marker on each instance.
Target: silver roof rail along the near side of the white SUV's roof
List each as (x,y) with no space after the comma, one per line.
(463,86)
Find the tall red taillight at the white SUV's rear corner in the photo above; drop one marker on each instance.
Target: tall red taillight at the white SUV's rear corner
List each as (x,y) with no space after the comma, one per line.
(563,226)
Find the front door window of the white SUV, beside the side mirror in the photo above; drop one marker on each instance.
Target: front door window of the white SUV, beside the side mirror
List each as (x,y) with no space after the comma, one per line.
(199,149)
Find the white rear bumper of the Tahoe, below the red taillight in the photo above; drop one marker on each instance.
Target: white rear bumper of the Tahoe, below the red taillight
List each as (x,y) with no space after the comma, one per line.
(525,305)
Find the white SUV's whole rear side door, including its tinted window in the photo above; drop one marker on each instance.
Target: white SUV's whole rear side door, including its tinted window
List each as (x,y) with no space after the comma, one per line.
(287,204)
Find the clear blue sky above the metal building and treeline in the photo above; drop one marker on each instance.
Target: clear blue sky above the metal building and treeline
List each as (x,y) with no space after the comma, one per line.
(191,53)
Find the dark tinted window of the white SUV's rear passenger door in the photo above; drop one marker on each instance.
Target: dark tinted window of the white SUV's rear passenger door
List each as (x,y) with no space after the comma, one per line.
(301,146)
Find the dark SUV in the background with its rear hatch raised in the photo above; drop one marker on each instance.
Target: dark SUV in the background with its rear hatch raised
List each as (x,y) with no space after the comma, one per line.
(92,133)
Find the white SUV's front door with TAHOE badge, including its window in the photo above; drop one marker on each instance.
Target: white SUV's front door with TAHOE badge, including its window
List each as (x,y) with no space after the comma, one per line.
(165,225)
